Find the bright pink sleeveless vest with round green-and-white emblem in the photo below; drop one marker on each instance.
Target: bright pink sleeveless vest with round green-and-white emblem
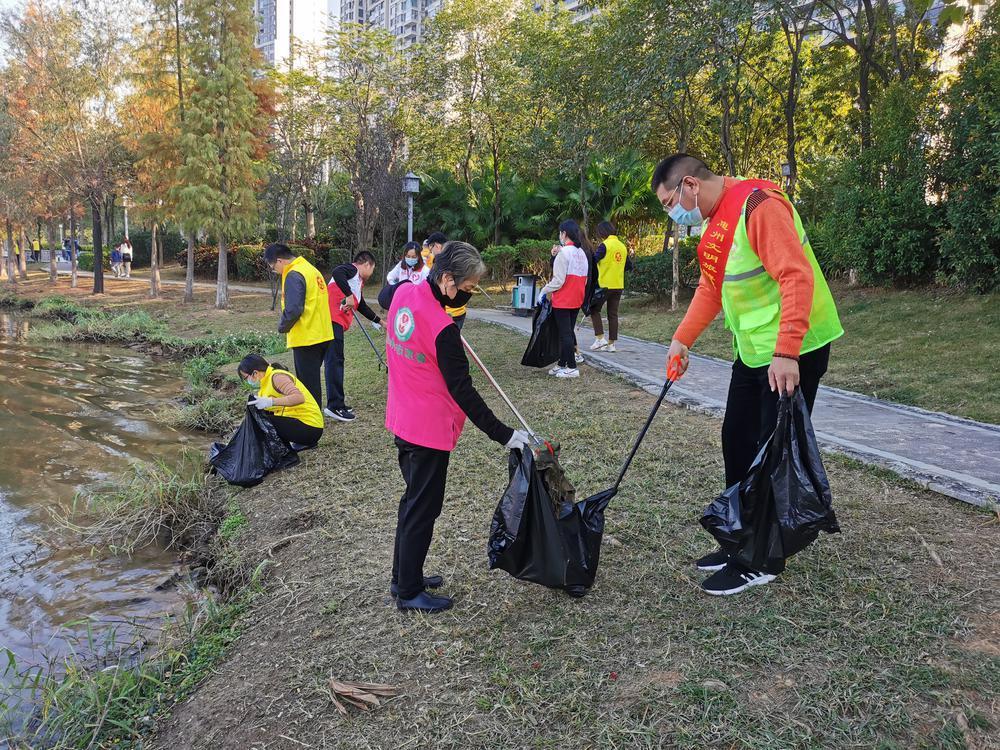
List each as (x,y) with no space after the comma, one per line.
(419,409)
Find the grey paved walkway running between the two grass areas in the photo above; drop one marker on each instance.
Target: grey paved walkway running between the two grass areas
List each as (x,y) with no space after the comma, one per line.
(956,457)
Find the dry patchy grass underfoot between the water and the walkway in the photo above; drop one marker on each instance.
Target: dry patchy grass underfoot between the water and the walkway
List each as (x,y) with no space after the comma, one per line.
(865,641)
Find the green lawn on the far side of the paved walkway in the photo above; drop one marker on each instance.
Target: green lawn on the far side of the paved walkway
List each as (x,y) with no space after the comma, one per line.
(924,347)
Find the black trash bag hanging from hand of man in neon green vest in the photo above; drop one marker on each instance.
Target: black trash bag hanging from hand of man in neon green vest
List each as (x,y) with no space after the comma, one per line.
(784,501)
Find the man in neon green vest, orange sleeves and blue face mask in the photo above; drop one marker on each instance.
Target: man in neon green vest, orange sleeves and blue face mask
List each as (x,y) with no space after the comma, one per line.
(759,270)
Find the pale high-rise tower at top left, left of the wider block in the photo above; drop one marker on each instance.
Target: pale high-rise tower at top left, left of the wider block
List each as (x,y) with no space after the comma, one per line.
(279,21)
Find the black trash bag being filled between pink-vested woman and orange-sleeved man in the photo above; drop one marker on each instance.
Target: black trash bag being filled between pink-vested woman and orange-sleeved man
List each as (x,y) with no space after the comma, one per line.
(540,533)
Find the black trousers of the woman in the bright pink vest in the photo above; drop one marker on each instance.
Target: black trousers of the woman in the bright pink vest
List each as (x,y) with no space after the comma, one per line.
(425,471)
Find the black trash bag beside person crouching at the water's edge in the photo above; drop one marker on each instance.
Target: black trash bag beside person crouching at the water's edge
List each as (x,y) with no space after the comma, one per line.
(253,452)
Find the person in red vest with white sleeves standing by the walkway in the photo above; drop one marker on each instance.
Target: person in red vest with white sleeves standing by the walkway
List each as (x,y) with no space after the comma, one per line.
(567,290)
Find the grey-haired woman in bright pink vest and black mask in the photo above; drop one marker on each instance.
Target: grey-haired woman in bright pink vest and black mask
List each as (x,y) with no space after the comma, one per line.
(425,355)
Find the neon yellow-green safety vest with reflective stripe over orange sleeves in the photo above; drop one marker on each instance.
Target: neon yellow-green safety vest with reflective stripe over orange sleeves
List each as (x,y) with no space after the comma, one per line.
(751,301)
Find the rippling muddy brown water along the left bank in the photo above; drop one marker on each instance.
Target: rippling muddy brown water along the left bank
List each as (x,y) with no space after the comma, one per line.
(72,415)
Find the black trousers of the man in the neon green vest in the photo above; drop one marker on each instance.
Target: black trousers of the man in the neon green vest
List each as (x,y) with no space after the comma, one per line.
(752,409)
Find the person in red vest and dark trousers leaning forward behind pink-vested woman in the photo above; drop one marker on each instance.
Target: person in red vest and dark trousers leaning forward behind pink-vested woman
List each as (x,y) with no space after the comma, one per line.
(346,295)
